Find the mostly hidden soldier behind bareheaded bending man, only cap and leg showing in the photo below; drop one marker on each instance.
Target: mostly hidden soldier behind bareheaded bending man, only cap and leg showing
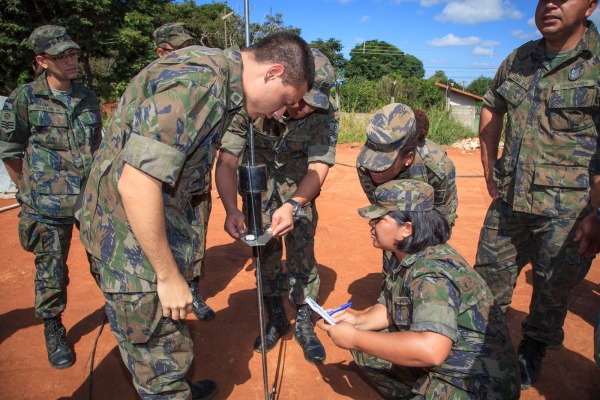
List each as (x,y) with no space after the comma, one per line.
(168,38)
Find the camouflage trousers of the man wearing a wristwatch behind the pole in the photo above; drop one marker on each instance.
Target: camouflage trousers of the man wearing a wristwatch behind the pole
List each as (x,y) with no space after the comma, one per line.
(302,278)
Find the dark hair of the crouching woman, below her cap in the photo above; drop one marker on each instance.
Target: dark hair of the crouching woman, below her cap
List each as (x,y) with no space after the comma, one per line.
(429,229)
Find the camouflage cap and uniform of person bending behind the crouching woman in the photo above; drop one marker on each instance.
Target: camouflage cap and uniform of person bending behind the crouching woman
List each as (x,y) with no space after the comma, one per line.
(431,164)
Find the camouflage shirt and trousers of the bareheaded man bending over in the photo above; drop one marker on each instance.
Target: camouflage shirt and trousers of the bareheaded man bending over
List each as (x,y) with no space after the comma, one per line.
(168,124)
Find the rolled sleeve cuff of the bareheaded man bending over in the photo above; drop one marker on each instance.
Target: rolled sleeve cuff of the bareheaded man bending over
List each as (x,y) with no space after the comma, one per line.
(156,159)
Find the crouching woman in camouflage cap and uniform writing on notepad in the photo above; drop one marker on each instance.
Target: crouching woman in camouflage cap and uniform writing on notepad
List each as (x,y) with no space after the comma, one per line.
(435,332)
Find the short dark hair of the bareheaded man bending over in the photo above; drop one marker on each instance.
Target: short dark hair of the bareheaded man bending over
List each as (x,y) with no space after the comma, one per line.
(289,50)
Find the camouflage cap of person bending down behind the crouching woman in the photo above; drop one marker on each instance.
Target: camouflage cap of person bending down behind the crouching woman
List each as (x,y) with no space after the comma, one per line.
(387,132)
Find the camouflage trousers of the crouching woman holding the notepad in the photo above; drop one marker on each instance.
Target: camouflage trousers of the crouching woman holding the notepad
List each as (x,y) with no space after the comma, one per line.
(406,382)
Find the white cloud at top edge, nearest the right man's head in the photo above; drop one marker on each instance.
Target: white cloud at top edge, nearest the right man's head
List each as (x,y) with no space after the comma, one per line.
(477,11)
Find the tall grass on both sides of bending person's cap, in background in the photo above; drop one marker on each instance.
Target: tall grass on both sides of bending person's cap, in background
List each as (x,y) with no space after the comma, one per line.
(443,129)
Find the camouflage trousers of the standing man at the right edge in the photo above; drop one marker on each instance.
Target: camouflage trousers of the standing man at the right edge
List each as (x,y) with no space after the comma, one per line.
(508,241)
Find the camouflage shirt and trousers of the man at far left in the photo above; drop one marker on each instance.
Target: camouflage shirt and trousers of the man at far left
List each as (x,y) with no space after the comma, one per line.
(56,142)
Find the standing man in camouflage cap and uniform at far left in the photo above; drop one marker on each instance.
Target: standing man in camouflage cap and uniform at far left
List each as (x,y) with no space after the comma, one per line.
(50,129)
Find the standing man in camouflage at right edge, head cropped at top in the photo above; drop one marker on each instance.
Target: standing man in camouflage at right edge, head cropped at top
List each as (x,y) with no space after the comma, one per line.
(549,90)
